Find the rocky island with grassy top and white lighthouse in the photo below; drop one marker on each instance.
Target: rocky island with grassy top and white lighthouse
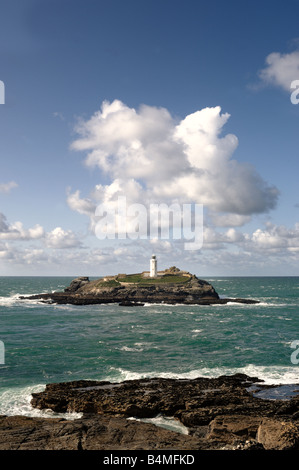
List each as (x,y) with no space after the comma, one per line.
(170,286)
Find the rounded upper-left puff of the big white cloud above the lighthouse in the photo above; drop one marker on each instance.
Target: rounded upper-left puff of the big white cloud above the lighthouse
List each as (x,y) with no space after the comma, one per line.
(127,143)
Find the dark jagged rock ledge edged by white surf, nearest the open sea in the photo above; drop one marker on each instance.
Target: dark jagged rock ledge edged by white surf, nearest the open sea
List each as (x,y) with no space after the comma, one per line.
(145,398)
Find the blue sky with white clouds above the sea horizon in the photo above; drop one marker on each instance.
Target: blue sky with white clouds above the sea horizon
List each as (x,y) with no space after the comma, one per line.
(151,102)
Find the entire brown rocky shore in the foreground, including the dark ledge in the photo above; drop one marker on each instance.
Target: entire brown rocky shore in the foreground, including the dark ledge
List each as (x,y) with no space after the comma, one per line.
(224,413)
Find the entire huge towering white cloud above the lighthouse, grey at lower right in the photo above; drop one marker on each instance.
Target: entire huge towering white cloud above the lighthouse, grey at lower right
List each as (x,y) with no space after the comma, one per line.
(149,156)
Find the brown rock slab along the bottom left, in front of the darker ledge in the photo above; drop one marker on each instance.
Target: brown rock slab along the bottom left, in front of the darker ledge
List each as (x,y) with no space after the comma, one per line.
(88,433)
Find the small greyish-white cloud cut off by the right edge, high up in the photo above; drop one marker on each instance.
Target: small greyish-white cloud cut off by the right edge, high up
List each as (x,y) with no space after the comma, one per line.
(281,69)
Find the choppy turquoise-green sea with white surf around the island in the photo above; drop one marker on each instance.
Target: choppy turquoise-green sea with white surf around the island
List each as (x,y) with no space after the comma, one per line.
(45,343)
